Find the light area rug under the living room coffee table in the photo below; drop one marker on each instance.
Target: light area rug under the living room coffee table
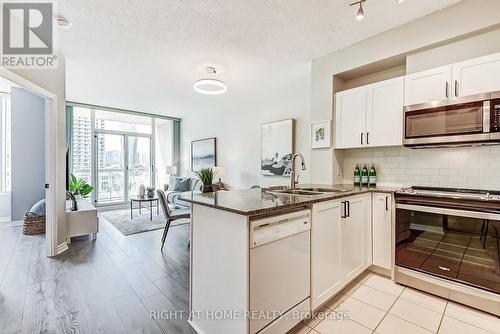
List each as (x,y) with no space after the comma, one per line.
(140,222)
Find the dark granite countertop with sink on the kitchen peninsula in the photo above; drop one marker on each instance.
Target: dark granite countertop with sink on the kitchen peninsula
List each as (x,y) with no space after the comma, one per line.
(253,202)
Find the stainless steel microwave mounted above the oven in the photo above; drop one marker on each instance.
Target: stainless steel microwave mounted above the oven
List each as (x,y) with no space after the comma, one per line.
(463,121)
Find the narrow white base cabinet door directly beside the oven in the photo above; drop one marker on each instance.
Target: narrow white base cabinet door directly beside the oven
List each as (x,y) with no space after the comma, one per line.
(382,230)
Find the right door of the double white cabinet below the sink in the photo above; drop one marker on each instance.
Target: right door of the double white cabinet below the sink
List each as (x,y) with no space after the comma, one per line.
(353,238)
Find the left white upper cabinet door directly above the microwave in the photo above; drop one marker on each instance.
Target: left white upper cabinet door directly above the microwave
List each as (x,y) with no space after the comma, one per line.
(428,86)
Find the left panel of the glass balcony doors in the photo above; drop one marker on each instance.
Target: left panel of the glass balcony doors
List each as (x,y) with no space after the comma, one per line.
(110,173)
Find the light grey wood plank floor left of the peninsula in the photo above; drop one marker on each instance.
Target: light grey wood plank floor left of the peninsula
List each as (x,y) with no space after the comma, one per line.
(107,286)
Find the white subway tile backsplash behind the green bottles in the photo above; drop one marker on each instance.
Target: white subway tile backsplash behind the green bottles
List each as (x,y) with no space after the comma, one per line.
(476,167)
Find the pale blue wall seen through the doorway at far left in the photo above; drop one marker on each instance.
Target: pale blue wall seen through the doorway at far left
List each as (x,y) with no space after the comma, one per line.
(28,151)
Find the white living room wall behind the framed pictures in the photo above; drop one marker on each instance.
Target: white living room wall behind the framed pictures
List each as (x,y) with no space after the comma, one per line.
(237,128)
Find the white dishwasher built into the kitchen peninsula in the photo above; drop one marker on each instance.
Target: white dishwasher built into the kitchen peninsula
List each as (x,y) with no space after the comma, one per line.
(280,248)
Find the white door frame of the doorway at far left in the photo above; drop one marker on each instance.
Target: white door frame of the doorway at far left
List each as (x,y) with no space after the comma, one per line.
(51,170)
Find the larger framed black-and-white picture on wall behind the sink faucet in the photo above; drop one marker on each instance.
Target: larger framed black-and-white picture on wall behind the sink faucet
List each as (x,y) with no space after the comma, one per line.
(277,148)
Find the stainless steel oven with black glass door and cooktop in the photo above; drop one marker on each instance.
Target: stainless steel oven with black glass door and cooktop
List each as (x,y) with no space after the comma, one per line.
(453,237)
